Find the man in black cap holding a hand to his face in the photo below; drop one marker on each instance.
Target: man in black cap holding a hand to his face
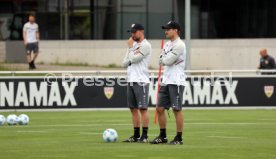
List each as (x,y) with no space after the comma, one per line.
(136,61)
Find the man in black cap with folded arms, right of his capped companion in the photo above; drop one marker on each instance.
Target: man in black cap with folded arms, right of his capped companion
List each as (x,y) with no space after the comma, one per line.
(173,59)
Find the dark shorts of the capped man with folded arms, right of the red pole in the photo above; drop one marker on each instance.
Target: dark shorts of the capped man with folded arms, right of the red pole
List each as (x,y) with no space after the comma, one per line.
(171,96)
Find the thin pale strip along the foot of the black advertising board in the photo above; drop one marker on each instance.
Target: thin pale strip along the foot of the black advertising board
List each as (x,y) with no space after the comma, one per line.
(126,109)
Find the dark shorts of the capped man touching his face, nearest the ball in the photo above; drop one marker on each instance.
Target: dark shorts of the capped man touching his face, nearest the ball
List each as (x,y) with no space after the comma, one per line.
(137,95)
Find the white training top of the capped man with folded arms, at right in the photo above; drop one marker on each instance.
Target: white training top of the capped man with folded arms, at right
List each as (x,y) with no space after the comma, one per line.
(173,57)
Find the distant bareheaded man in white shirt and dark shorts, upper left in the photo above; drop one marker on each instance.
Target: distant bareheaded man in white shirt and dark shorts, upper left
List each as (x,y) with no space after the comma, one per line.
(31,39)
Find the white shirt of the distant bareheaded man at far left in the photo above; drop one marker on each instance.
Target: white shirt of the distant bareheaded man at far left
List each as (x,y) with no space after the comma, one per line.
(30,30)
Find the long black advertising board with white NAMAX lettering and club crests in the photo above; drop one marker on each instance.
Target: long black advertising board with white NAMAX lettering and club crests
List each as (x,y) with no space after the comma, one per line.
(38,93)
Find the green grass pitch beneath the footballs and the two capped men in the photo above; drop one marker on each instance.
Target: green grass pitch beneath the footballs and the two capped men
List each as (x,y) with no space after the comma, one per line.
(208,134)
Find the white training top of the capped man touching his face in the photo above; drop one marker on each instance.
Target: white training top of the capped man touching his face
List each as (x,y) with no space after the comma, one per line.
(137,60)
